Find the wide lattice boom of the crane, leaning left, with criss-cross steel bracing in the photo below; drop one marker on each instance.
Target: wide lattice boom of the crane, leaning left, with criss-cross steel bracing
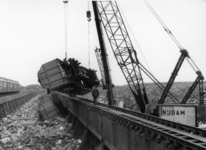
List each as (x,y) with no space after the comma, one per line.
(108,13)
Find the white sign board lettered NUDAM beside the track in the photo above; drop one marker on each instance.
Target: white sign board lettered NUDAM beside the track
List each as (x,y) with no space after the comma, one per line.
(180,114)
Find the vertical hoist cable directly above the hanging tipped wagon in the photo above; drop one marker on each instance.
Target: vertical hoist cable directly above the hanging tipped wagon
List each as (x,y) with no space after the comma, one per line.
(65,23)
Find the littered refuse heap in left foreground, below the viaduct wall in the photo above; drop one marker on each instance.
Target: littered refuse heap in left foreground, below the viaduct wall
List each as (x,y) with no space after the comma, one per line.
(24,130)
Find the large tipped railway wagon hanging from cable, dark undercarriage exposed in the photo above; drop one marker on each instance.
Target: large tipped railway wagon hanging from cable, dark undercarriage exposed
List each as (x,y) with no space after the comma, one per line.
(67,76)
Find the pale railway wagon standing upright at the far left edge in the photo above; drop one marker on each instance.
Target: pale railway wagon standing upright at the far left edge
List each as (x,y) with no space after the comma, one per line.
(8,86)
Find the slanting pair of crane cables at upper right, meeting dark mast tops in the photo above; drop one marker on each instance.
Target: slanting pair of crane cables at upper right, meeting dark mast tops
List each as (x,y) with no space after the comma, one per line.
(189,59)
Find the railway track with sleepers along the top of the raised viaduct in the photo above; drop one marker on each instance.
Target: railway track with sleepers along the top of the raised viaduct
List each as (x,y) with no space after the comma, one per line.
(169,134)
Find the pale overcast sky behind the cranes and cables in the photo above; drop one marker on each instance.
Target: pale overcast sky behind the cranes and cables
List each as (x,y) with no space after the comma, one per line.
(32,33)
